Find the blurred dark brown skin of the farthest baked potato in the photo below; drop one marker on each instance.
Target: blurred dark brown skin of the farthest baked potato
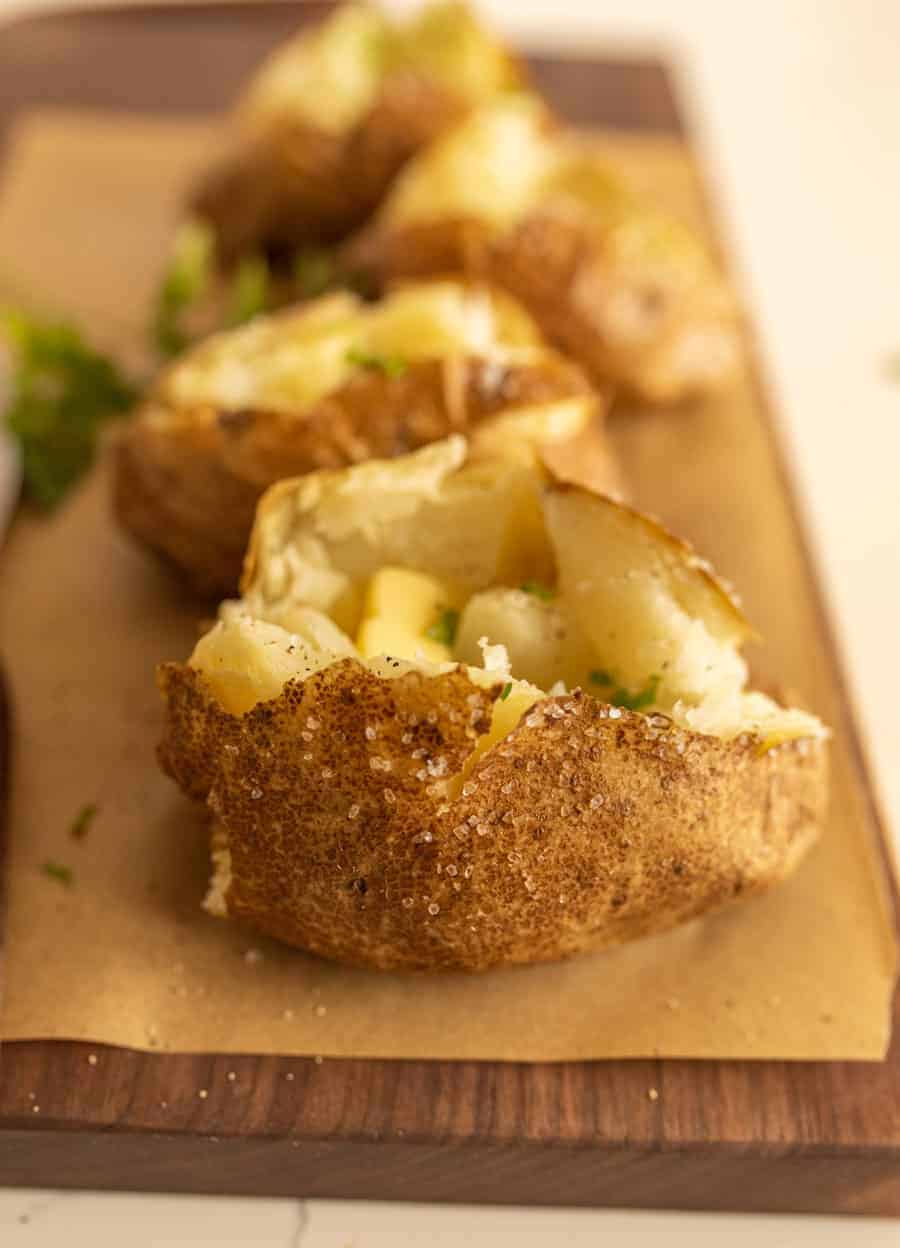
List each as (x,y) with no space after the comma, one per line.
(298,185)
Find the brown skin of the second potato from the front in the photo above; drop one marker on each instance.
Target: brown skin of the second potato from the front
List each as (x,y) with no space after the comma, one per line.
(189,489)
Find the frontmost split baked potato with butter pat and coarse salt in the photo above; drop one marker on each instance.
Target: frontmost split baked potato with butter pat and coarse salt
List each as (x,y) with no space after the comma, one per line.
(466,714)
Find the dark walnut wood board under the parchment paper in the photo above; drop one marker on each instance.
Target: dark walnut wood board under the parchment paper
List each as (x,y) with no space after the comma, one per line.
(775,1136)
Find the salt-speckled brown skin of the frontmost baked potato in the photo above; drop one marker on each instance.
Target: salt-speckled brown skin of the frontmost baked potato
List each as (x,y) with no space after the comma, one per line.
(579,832)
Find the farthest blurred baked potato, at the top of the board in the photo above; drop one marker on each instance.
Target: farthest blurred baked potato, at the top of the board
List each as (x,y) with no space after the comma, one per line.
(330,118)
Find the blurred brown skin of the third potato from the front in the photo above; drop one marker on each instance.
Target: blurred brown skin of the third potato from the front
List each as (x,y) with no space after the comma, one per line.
(557,269)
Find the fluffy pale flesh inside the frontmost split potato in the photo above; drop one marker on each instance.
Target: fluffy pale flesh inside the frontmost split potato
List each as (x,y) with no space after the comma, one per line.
(636,616)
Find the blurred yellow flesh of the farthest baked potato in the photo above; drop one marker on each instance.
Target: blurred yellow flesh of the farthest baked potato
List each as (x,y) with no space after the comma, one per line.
(331,76)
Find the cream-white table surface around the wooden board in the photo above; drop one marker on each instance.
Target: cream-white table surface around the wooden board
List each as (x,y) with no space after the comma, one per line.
(797,109)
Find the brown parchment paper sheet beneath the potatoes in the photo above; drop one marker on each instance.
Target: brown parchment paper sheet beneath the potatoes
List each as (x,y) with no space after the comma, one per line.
(125,954)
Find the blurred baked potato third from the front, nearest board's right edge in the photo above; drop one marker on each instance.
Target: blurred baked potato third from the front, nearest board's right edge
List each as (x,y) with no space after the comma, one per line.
(620,285)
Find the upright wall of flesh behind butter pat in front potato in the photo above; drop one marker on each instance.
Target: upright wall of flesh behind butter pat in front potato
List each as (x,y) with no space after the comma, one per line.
(320,540)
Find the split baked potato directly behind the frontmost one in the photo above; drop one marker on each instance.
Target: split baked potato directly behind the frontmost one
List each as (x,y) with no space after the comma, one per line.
(320,386)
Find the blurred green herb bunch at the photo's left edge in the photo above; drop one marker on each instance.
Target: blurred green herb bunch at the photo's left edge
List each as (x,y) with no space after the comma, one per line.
(63,392)
